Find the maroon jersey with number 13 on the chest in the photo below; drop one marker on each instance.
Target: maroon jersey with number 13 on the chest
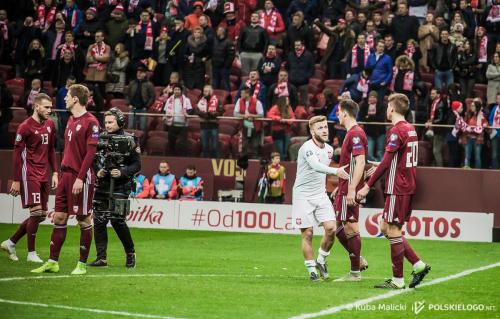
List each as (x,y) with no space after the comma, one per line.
(34,150)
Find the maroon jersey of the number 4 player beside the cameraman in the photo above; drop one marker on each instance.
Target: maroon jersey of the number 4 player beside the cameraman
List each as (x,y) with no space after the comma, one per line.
(80,140)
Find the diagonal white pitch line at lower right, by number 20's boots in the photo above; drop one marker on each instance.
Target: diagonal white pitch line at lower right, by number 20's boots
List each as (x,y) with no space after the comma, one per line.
(392,293)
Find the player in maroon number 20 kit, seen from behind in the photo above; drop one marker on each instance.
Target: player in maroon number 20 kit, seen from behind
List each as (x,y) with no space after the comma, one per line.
(400,159)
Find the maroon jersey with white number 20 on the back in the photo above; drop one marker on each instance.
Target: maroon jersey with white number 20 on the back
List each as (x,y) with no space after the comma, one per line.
(402,141)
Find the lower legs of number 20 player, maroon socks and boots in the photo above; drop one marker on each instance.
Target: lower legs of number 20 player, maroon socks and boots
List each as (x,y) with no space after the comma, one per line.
(400,248)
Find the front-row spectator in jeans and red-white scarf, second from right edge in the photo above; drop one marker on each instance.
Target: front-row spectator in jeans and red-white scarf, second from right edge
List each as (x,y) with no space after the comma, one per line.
(477,122)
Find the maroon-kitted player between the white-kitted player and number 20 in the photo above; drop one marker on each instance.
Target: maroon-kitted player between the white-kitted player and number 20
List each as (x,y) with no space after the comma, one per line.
(353,154)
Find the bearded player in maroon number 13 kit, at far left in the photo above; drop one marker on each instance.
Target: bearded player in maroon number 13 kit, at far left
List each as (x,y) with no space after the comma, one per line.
(33,153)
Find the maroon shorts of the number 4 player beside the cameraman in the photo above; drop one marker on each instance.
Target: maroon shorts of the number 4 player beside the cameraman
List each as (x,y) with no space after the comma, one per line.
(66,202)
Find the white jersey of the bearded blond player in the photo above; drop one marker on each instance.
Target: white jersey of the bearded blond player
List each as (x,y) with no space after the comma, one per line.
(312,166)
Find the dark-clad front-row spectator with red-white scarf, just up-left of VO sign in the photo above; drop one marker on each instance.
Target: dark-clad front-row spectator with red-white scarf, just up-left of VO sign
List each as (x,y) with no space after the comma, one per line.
(208,109)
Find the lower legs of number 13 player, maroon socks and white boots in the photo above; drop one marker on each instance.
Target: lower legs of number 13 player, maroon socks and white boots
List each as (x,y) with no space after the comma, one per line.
(28,227)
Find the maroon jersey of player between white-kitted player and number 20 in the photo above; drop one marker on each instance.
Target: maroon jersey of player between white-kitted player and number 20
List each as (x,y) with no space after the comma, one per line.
(355,143)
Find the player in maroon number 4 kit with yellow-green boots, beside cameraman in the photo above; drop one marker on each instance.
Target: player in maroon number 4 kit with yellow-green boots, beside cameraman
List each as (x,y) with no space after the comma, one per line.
(76,186)
